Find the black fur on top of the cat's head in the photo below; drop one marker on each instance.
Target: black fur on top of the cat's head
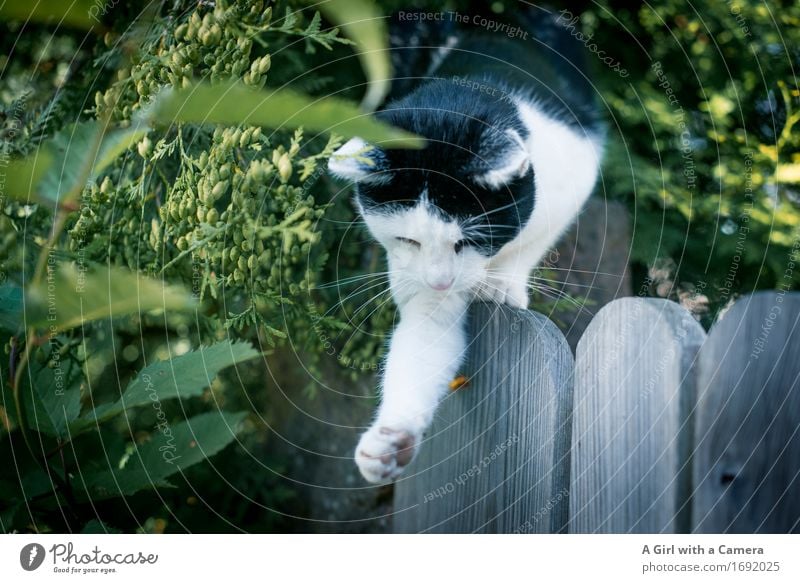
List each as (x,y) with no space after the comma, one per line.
(466,139)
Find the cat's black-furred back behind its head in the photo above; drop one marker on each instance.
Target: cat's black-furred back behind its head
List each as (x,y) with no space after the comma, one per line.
(465,67)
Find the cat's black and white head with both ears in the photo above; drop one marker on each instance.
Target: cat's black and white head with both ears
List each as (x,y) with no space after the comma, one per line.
(442,211)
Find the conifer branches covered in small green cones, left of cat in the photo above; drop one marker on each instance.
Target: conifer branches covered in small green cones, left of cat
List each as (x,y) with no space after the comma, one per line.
(235,212)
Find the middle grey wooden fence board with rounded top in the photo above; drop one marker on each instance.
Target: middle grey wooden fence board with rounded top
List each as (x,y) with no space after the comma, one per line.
(632,432)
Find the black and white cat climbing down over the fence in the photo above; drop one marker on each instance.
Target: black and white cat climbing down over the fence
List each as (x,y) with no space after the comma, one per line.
(513,152)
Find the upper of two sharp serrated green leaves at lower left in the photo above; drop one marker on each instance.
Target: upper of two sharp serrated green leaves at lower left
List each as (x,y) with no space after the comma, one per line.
(179,377)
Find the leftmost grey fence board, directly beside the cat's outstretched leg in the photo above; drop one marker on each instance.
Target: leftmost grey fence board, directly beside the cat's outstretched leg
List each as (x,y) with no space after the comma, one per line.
(497,456)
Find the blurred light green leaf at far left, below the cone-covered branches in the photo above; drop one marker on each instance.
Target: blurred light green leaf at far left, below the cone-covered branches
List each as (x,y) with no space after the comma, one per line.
(67,298)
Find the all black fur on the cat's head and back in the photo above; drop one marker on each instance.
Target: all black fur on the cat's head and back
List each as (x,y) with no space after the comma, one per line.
(462,105)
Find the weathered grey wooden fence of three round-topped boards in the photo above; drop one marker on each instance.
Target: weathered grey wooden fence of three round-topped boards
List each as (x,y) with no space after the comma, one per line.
(653,427)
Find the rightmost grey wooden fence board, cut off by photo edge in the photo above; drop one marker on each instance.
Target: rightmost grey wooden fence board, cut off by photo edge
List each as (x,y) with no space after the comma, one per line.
(747,462)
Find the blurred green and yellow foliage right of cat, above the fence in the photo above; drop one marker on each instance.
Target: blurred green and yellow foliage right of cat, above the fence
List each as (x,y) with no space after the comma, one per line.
(703,142)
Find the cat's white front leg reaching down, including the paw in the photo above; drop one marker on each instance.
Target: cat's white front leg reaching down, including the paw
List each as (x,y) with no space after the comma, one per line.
(425,352)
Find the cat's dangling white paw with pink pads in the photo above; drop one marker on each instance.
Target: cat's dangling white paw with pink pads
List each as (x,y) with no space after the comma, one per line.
(384,452)
